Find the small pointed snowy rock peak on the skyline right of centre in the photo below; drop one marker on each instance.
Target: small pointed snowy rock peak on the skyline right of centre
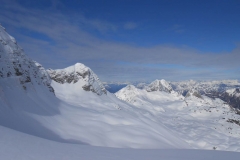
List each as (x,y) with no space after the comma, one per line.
(159,85)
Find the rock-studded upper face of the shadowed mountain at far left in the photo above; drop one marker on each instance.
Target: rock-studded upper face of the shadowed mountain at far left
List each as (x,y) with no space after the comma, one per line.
(14,63)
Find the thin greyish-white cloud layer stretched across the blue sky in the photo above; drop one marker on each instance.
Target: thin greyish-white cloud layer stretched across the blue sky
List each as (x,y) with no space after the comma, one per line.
(73,42)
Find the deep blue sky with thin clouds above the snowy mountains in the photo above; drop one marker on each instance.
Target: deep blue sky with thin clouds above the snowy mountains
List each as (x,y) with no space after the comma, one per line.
(130,40)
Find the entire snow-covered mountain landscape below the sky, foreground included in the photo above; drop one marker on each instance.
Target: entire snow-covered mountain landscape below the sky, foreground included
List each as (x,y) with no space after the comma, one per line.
(68,114)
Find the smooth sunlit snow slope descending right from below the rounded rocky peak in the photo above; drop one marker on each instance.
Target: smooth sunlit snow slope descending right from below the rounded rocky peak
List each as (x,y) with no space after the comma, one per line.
(104,120)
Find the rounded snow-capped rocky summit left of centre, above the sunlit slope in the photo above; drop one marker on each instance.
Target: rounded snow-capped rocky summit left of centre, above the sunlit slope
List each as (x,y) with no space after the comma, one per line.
(78,72)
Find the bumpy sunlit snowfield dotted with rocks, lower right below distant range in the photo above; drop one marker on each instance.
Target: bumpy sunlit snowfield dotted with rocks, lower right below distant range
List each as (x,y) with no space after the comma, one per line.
(203,122)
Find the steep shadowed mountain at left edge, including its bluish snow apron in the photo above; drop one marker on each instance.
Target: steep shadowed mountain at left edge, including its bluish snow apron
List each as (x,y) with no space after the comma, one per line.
(25,90)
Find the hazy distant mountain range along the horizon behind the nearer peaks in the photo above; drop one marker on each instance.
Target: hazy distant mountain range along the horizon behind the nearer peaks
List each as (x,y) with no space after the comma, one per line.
(226,90)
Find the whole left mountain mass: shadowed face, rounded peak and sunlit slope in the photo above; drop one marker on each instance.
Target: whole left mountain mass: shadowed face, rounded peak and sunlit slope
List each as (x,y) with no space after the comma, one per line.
(80,110)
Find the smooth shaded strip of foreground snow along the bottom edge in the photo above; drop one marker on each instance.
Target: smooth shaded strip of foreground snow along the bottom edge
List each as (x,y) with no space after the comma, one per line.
(16,145)
